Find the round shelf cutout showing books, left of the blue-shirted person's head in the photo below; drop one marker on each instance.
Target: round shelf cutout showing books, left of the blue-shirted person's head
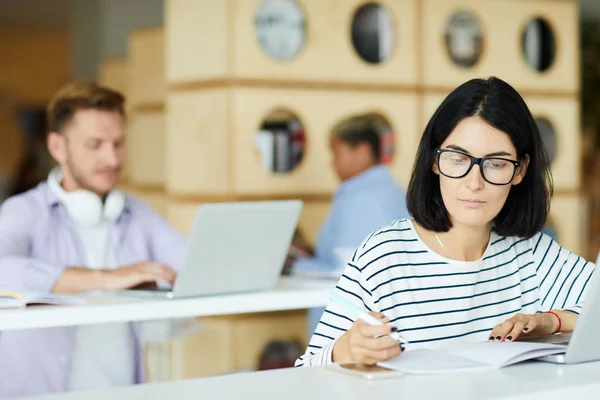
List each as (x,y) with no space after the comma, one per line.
(280,142)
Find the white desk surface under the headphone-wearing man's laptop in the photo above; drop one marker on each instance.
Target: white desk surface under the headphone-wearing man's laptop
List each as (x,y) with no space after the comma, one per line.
(291,294)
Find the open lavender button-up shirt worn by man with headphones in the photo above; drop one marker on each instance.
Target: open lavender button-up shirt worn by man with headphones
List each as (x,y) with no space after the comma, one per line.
(37,242)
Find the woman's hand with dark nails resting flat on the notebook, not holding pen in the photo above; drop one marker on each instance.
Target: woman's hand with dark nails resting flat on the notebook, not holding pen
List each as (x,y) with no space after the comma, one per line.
(524,324)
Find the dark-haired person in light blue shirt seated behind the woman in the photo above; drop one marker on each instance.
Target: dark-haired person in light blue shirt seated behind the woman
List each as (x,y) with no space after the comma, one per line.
(367,199)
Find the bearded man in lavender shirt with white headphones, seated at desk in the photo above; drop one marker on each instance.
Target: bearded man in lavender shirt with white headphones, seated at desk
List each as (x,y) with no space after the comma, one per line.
(76,232)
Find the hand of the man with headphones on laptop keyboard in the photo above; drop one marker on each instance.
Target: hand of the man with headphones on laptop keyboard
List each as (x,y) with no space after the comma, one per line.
(137,274)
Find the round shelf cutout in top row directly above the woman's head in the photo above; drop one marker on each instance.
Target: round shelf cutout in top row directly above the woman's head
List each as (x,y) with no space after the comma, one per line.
(464,39)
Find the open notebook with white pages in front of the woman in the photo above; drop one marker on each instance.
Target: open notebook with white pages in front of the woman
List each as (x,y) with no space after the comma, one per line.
(469,356)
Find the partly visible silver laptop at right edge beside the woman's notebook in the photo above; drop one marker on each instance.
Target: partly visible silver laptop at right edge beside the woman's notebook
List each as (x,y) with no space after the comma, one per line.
(582,344)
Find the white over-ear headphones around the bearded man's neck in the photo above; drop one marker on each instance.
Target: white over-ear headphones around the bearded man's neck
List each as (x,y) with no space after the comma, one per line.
(84,207)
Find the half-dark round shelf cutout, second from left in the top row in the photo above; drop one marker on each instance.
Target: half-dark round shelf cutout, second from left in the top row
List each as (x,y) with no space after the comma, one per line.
(373,33)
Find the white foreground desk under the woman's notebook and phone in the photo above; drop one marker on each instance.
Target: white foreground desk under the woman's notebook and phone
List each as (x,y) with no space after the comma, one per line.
(528,381)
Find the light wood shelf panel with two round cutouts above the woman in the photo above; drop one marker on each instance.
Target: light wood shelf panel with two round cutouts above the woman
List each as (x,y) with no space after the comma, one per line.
(503,23)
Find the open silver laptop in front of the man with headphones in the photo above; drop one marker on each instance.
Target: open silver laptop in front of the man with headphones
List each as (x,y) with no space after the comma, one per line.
(234,247)
